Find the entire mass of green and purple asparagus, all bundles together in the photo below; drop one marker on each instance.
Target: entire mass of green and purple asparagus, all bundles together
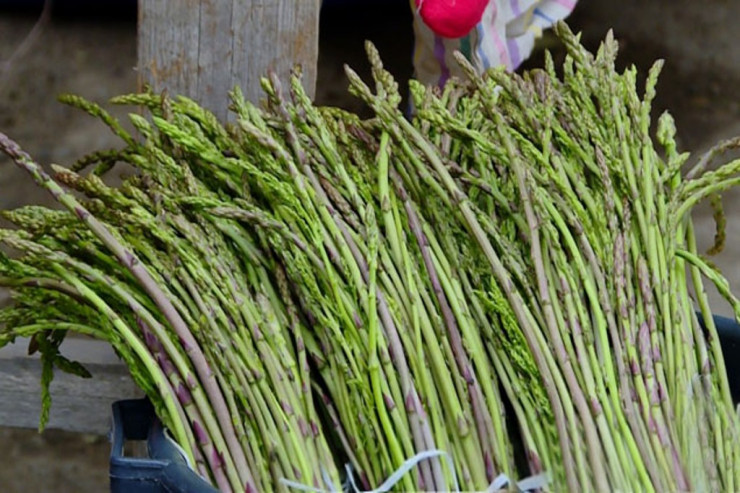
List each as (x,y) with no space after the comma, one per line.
(503,279)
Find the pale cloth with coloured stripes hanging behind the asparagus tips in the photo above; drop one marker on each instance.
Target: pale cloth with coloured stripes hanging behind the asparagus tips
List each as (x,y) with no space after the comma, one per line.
(505,36)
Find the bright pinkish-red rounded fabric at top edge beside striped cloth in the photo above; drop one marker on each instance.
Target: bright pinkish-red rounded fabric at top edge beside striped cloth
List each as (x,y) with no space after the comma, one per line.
(451,19)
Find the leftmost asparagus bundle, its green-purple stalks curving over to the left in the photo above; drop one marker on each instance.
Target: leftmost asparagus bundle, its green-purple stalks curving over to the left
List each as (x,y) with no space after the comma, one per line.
(185,300)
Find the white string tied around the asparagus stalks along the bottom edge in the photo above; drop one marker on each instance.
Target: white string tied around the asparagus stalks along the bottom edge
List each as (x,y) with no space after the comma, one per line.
(531,483)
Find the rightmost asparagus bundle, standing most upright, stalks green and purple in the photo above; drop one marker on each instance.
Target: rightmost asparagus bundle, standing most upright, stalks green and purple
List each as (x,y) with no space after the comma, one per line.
(586,230)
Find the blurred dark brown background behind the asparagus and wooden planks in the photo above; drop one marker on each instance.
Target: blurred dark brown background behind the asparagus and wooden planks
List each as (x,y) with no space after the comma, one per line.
(89,48)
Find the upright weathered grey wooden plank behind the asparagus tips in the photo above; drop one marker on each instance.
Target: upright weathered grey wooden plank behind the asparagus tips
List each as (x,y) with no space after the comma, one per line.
(203,48)
